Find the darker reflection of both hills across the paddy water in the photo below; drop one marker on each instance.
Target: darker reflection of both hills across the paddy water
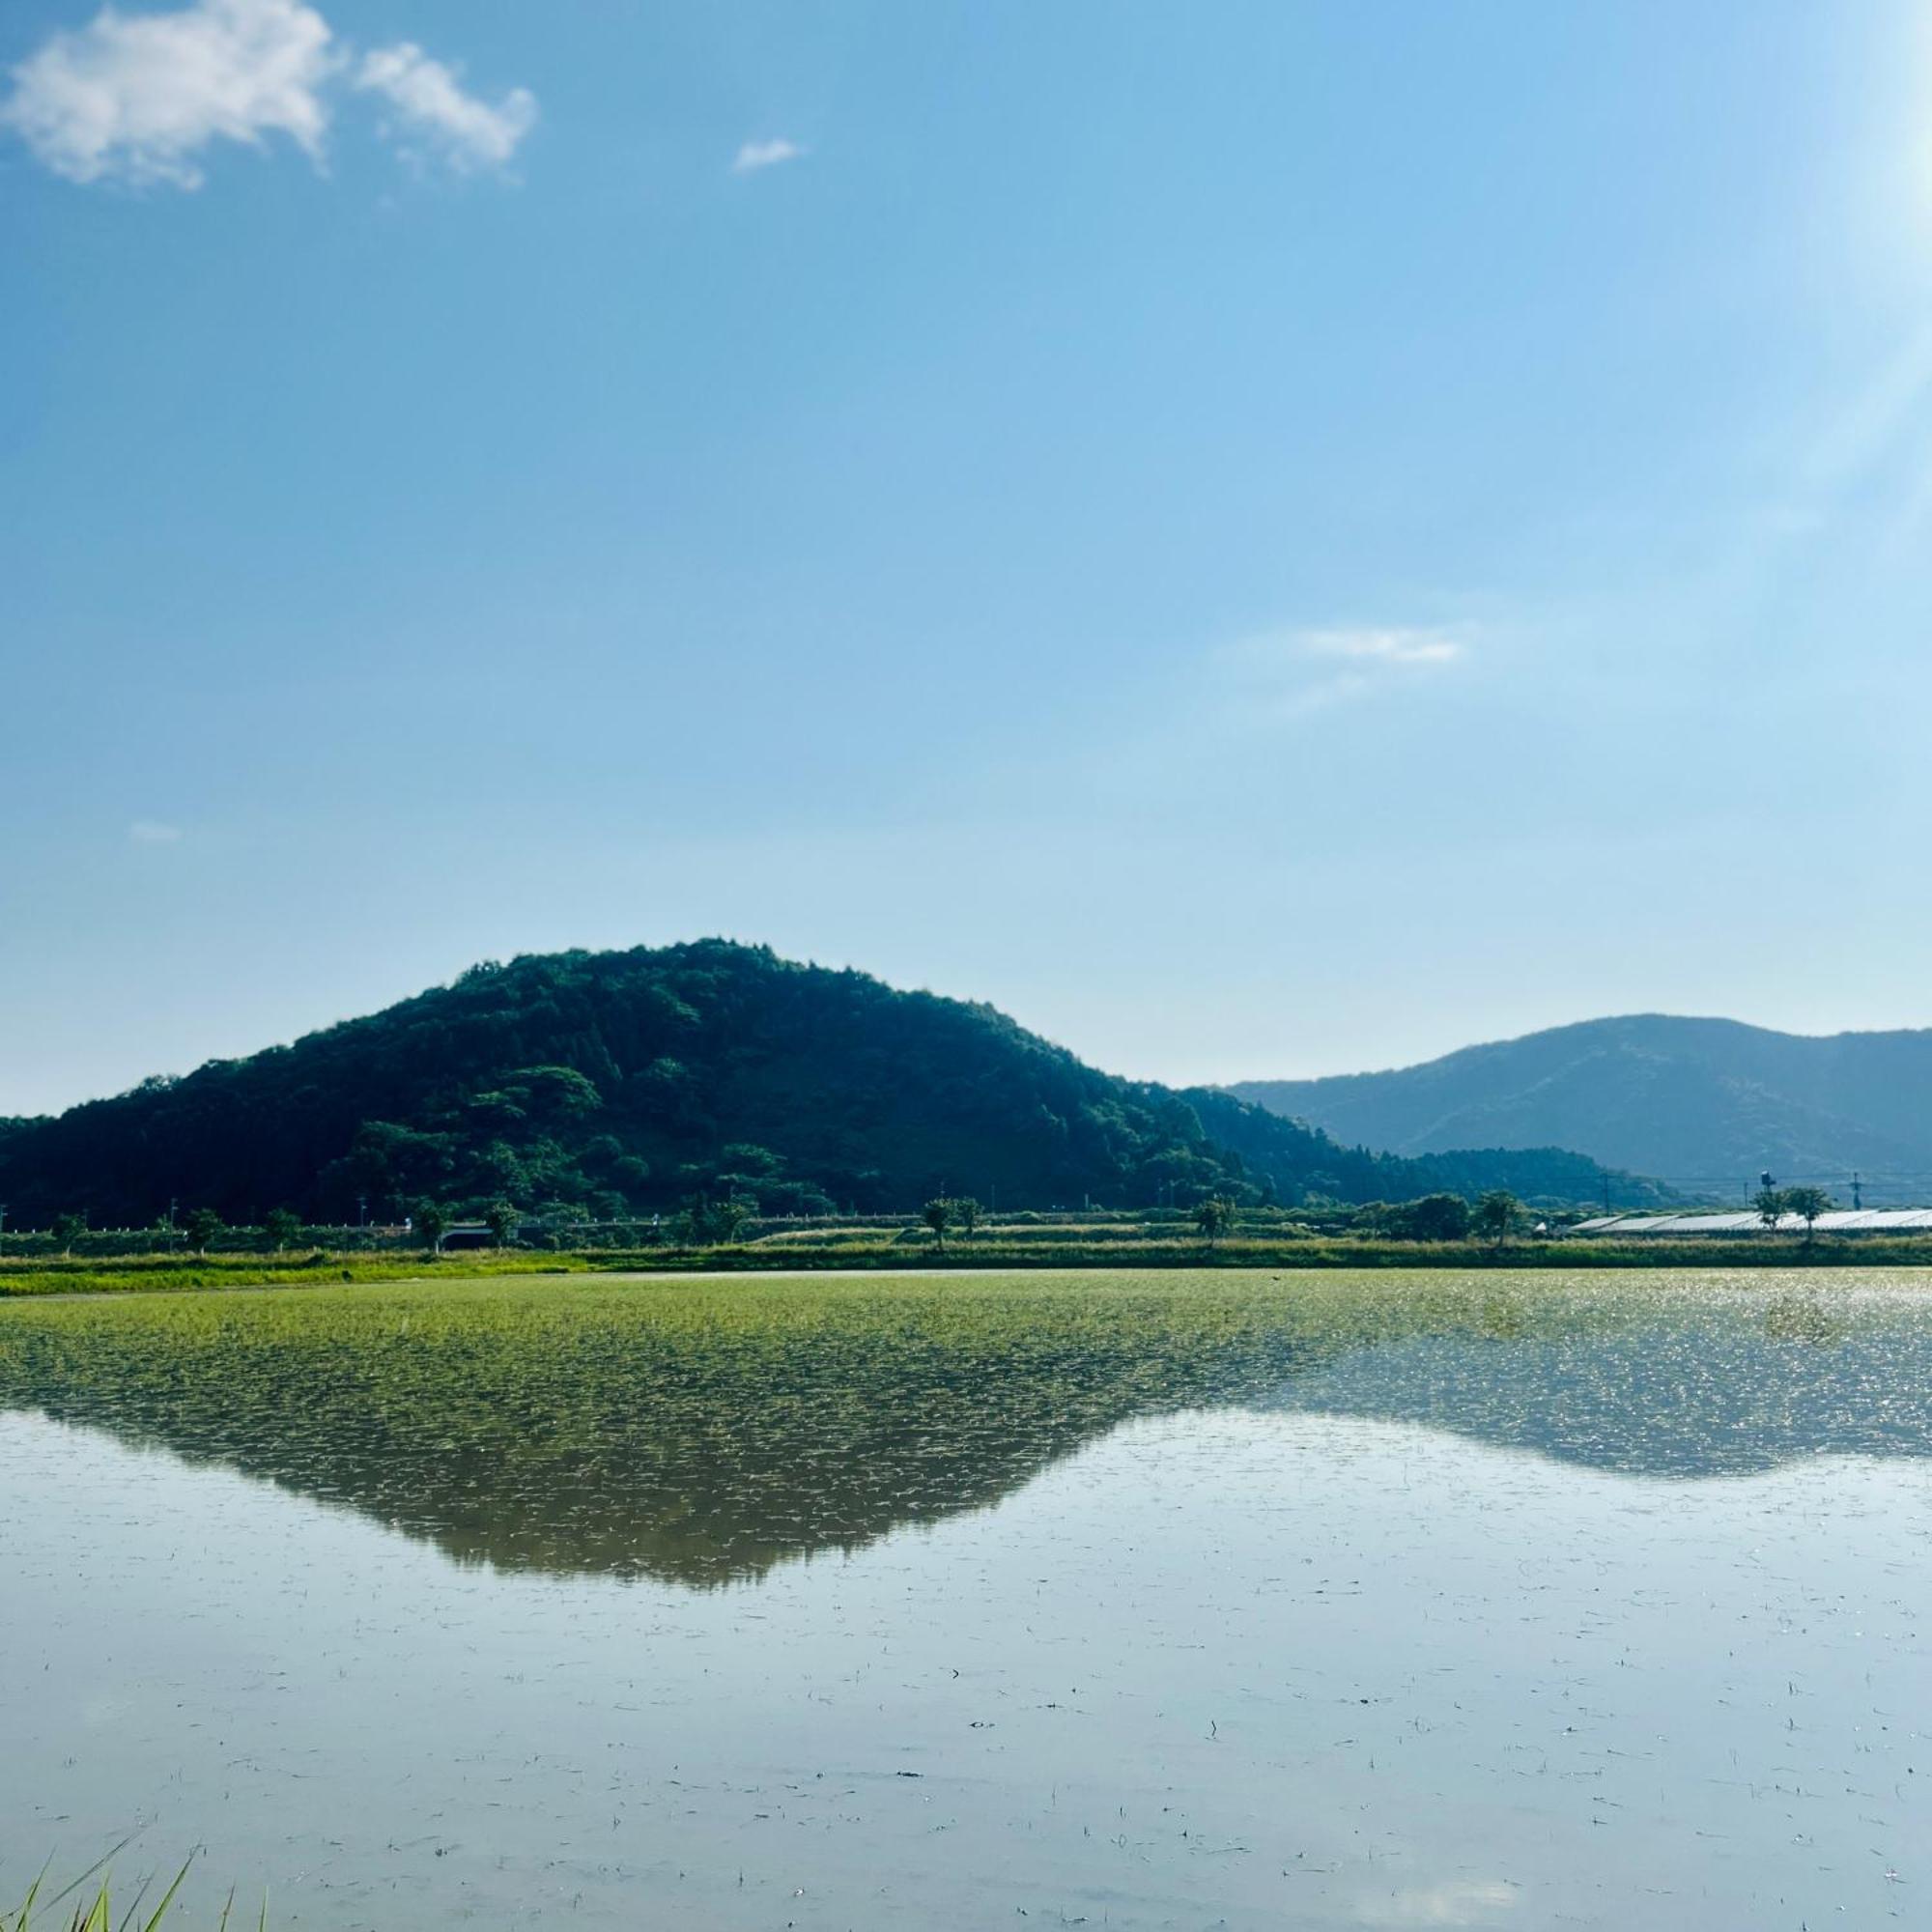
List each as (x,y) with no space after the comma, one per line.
(698,1442)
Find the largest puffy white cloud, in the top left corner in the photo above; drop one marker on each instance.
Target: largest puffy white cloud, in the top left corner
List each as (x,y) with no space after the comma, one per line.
(138,98)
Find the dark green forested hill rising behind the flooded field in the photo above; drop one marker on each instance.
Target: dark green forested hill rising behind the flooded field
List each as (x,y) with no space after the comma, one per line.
(625,1083)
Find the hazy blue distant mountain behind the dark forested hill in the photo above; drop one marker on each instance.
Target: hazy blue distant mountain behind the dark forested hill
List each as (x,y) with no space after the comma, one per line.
(1707,1106)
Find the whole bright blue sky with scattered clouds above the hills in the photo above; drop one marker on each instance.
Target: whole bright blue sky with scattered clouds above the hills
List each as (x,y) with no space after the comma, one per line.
(1264,540)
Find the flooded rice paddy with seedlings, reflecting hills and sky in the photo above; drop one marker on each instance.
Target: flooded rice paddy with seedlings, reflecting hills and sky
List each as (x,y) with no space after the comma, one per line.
(938,1603)
